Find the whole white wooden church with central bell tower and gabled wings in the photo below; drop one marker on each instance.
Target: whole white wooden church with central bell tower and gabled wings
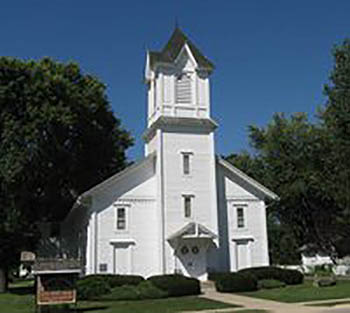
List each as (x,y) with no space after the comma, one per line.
(181,209)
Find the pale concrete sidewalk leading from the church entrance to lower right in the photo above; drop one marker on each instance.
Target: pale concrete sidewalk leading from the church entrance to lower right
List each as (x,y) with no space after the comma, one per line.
(269,305)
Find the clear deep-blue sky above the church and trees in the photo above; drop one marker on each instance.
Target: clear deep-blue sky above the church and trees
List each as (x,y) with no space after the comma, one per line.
(270,56)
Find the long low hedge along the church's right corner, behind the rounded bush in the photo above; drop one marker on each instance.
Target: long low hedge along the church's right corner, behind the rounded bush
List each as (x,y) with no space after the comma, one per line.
(289,277)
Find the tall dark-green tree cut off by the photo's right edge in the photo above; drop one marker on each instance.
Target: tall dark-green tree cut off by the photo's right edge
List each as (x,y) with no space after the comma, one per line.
(336,119)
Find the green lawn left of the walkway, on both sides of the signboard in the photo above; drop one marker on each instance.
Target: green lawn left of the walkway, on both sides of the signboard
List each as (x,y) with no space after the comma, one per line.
(21,300)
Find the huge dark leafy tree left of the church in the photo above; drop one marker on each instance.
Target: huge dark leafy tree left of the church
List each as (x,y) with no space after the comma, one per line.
(58,138)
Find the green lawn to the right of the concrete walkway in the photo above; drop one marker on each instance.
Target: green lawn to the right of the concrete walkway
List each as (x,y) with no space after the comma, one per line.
(303,293)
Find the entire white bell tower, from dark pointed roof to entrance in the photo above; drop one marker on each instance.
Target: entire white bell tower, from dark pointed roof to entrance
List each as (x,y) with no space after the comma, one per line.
(180,136)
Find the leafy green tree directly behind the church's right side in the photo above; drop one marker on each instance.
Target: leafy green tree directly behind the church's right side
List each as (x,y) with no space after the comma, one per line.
(293,154)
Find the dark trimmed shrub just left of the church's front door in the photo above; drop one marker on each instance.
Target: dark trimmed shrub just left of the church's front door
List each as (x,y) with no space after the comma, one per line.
(176,285)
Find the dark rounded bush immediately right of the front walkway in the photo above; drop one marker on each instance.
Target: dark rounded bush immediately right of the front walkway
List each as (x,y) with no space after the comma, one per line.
(236,282)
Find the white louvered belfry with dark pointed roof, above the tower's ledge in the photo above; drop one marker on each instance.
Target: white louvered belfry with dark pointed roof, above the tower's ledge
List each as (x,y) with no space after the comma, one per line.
(178,80)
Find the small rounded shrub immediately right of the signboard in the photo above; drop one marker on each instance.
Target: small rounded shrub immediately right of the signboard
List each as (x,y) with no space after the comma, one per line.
(91,287)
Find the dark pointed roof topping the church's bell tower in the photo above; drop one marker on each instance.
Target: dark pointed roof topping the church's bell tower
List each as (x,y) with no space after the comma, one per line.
(173,47)
